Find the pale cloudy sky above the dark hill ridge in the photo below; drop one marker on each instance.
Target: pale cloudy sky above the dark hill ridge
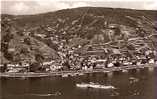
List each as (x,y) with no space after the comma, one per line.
(23,7)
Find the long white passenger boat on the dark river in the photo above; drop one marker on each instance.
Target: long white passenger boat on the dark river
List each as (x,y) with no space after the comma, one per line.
(94,85)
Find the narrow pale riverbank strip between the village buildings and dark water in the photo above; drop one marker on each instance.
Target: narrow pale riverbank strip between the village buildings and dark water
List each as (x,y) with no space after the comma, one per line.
(76,73)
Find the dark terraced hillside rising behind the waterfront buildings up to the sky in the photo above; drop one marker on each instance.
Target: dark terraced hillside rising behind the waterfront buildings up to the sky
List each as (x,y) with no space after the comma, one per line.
(44,35)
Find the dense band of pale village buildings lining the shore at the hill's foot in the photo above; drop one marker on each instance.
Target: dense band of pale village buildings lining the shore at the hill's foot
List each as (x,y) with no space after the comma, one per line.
(70,60)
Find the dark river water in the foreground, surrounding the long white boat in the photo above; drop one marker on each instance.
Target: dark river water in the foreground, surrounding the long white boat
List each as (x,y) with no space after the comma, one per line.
(132,85)
